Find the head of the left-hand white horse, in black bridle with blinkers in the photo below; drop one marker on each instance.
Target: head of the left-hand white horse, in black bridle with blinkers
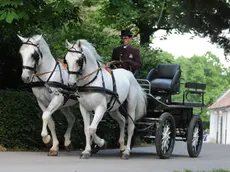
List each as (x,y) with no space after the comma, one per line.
(31,56)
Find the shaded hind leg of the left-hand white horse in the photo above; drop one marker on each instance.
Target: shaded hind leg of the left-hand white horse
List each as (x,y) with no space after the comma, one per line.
(71,120)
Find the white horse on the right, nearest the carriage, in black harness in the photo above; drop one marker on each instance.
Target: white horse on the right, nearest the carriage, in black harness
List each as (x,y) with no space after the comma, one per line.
(83,67)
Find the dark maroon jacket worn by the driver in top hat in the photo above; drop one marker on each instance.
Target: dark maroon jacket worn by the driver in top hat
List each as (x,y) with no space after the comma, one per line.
(129,57)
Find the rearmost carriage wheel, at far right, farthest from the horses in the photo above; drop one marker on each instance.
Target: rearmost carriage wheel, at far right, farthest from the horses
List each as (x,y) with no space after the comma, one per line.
(195,136)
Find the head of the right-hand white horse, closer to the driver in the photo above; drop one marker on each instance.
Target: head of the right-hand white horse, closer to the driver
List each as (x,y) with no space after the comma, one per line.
(75,60)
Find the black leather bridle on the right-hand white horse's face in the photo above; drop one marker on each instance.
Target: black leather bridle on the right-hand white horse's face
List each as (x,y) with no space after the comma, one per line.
(80,62)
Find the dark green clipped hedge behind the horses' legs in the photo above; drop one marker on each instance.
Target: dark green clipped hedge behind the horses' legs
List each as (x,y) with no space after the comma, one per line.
(21,124)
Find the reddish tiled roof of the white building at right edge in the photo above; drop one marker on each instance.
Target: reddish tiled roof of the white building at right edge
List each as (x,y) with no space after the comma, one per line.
(222,101)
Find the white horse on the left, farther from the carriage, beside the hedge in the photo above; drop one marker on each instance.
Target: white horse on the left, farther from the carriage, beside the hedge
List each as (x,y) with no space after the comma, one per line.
(37,58)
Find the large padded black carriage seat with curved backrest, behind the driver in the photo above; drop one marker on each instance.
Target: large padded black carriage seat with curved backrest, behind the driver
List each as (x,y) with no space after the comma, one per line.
(166,78)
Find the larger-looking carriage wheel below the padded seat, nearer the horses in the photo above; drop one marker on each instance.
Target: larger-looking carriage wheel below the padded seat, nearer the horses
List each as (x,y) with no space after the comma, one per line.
(165,135)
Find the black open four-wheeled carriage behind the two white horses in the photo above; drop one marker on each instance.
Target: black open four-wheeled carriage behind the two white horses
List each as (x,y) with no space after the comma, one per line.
(166,120)
